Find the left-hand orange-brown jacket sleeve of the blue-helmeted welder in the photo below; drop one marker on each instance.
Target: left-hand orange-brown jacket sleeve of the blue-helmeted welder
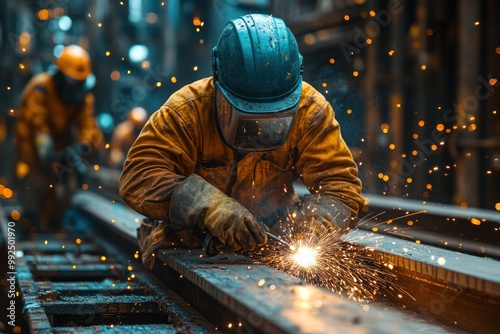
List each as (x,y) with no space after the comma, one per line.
(157,163)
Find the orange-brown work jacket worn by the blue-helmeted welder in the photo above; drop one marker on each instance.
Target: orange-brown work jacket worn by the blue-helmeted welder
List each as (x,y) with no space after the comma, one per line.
(181,138)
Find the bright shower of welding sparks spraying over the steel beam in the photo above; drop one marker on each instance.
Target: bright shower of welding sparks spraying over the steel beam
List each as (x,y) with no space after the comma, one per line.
(339,265)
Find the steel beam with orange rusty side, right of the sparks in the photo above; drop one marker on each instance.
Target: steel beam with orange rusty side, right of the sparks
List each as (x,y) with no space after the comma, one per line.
(458,289)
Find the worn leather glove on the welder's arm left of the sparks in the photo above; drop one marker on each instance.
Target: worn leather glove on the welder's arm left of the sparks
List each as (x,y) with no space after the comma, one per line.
(196,203)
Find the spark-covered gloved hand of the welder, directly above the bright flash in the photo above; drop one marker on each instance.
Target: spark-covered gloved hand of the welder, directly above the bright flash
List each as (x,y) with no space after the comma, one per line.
(322,214)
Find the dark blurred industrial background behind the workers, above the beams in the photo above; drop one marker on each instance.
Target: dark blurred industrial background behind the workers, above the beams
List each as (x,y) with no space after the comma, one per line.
(414,83)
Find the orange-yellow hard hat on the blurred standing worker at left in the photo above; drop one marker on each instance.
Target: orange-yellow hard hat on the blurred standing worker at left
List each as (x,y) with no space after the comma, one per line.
(74,62)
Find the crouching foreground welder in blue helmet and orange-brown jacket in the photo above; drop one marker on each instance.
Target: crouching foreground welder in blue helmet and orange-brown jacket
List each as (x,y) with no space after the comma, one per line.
(222,154)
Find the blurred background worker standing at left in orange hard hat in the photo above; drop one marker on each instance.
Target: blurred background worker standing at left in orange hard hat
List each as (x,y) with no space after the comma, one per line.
(56,136)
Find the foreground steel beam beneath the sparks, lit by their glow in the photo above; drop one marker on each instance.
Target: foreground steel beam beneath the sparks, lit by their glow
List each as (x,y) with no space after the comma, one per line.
(264,300)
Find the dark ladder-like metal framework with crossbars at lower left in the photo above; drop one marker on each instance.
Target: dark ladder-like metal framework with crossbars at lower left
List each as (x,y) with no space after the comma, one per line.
(81,293)
